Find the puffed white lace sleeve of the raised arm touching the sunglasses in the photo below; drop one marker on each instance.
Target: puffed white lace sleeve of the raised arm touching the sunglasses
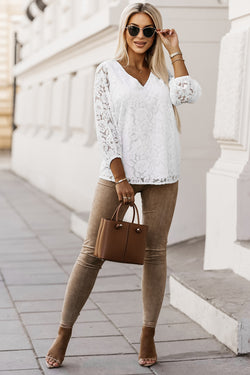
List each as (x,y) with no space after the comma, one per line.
(183,89)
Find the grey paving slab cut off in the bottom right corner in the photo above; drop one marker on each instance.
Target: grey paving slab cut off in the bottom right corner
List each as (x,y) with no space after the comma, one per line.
(214,366)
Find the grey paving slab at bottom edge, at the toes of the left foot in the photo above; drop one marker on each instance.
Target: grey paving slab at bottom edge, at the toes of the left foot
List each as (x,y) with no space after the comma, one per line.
(99,365)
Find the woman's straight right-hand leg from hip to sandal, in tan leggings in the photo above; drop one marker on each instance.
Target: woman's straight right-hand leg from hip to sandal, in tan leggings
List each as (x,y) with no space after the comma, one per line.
(158,204)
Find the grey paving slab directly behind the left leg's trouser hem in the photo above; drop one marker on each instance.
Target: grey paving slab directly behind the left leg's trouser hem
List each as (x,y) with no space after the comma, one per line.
(54,317)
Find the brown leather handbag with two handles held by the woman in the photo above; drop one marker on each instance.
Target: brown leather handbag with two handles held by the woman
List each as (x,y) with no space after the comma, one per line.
(121,241)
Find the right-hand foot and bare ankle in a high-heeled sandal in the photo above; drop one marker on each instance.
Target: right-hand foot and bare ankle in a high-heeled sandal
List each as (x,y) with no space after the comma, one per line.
(147,356)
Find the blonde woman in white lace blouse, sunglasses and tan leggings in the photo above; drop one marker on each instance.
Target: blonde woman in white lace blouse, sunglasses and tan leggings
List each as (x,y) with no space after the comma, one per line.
(137,127)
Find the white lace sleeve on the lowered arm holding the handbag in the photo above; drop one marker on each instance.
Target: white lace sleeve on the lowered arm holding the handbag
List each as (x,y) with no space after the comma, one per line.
(106,129)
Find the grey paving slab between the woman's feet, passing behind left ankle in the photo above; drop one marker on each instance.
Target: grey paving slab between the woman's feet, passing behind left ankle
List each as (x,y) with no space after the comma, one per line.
(83,346)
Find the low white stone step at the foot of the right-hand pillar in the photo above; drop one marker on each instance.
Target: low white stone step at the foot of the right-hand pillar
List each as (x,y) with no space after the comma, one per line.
(218,300)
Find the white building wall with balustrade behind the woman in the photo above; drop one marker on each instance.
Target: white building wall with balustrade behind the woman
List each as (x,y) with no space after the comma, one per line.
(54,146)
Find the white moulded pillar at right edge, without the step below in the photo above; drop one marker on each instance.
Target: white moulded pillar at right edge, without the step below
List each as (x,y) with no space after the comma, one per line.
(228,181)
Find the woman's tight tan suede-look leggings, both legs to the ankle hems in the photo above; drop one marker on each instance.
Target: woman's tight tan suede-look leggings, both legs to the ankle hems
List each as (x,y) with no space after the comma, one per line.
(158,204)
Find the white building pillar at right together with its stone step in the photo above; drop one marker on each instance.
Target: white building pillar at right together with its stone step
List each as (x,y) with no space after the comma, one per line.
(218,296)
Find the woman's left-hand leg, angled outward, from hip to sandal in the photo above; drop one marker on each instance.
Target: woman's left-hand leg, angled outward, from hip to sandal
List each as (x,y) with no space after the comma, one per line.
(85,270)
